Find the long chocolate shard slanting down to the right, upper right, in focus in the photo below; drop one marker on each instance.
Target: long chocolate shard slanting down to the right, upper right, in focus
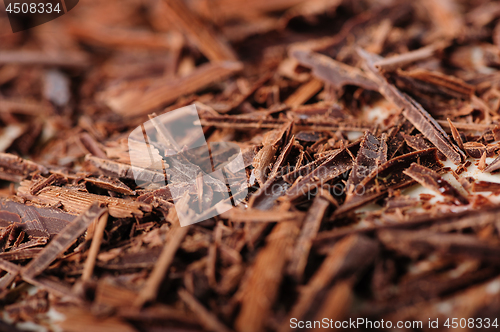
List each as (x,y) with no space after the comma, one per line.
(414,112)
